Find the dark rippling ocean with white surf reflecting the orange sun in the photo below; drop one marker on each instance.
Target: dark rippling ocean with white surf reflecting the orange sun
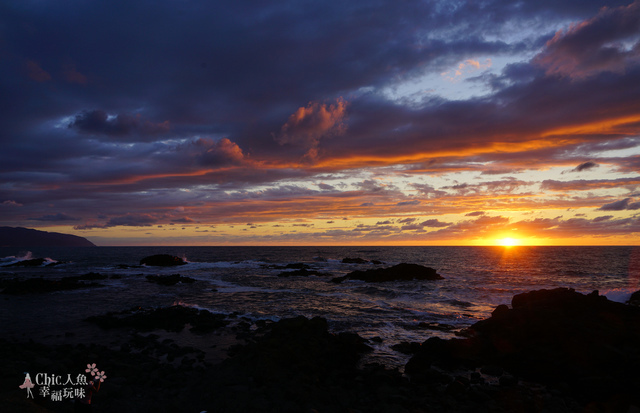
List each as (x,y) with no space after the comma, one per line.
(244,281)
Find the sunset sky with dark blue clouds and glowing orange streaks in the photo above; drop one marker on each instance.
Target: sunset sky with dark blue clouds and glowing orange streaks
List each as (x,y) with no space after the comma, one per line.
(183,122)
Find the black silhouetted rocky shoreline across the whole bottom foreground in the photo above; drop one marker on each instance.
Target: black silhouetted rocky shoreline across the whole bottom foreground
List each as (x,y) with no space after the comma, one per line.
(553,350)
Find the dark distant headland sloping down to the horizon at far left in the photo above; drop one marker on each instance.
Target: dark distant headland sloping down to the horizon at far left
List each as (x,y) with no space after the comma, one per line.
(26,237)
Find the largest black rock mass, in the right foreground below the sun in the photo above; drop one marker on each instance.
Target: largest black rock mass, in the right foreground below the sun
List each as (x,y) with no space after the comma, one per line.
(585,344)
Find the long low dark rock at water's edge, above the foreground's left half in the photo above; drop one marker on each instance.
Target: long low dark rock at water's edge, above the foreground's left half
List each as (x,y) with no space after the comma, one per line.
(172,318)
